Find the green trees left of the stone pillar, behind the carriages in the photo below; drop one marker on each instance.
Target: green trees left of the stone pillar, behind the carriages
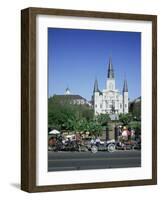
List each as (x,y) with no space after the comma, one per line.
(72,117)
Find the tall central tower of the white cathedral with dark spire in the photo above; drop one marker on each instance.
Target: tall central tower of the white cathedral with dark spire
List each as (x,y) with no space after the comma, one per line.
(110,83)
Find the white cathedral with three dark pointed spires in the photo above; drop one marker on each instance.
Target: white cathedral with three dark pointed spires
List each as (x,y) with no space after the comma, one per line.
(110,100)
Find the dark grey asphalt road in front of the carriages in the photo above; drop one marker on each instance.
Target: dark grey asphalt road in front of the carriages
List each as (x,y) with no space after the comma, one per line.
(62,161)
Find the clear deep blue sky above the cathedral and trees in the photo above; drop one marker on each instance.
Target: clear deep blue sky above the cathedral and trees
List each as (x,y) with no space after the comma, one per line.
(76,57)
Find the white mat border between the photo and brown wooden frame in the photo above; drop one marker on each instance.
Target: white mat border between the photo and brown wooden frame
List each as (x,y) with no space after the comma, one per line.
(43,177)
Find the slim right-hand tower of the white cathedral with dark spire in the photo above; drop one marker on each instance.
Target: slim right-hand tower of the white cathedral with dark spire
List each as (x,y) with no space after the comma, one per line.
(125,98)
